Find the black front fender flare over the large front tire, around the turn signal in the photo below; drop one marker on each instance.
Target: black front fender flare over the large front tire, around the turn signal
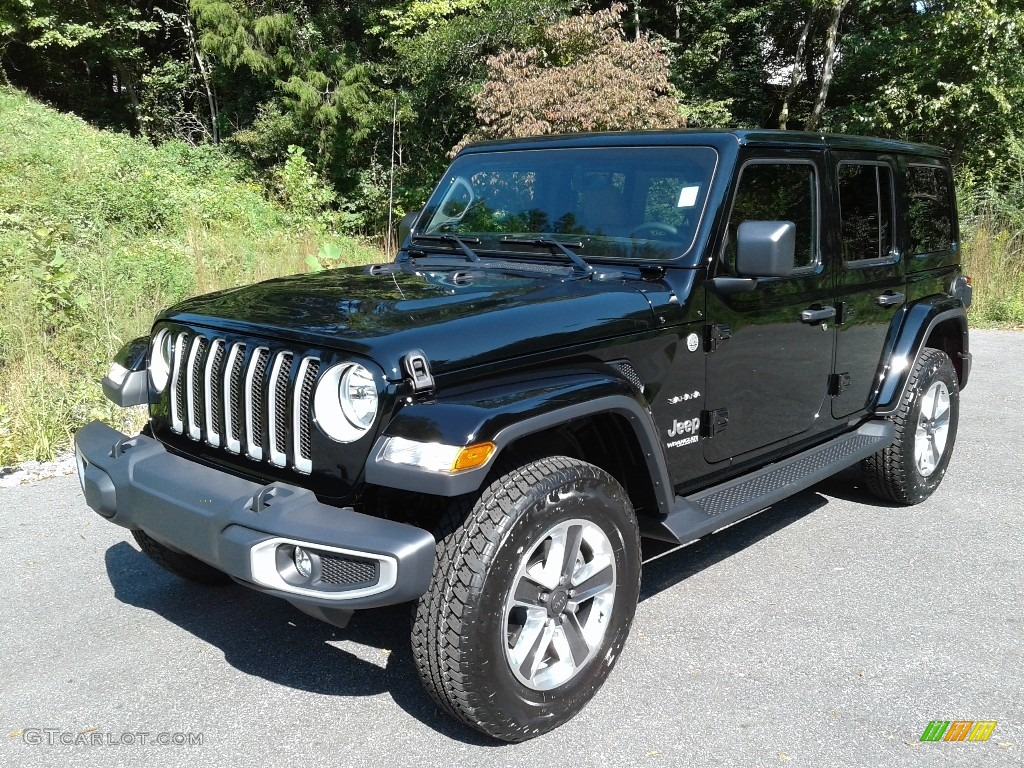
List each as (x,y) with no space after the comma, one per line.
(507,412)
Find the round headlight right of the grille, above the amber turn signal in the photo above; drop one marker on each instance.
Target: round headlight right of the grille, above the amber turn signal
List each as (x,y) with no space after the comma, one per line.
(346,402)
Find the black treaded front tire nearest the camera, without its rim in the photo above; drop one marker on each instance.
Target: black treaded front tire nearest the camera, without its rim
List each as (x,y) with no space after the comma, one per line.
(458,627)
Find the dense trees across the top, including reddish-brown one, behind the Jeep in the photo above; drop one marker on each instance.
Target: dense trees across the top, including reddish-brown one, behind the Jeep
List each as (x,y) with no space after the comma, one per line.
(377,95)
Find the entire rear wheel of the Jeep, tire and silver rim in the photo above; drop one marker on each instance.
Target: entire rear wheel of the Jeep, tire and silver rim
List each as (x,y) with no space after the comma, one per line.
(912,468)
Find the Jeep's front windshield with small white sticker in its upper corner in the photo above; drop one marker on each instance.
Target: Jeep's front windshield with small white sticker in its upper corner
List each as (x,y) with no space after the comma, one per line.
(608,202)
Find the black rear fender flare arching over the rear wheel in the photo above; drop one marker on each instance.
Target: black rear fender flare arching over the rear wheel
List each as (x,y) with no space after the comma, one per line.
(919,323)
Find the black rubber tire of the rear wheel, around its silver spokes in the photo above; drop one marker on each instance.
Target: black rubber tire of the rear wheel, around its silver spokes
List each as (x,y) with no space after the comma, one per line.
(893,474)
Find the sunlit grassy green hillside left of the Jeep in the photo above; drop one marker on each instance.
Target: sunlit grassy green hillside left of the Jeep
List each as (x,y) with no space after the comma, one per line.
(98,233)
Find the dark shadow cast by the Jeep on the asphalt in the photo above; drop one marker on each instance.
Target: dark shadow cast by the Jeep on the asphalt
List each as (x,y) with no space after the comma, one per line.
(266,637)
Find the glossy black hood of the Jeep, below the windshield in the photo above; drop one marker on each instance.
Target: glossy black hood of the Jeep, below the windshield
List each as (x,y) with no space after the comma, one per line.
(459,318)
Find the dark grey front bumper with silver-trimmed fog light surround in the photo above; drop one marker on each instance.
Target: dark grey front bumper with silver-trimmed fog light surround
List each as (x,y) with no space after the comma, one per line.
(248,530)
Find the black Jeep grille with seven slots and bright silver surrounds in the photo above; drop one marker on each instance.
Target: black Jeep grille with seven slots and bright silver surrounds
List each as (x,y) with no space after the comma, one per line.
(244,398)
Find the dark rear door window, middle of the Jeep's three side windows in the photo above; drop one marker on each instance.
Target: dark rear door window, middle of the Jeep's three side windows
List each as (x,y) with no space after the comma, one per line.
(866,193)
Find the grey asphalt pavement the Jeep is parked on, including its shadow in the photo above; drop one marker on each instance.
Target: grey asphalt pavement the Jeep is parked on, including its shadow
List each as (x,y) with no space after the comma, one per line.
(828,631)
